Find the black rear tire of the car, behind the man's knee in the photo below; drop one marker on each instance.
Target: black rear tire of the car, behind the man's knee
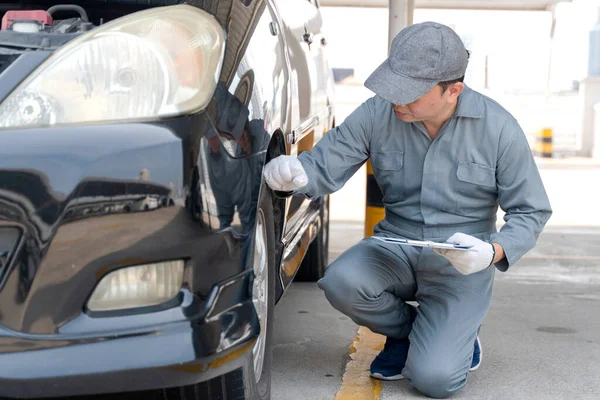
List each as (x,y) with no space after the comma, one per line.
(316,260)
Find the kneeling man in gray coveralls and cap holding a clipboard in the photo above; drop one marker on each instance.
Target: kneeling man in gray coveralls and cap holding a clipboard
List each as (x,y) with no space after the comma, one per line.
(445,157)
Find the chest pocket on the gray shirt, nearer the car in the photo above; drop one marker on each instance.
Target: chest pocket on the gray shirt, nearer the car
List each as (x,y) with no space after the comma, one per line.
(389,173)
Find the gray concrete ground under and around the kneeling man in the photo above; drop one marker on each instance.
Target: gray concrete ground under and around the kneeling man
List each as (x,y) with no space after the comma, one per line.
(541,338)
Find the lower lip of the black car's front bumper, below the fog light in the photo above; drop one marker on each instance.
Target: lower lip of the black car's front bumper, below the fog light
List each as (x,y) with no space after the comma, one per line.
(132,359)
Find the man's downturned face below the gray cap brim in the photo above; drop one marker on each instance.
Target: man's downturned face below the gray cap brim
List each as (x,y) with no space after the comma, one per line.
(426,108)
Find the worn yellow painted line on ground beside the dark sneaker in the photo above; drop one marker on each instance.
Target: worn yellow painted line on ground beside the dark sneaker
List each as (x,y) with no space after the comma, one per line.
(356,382)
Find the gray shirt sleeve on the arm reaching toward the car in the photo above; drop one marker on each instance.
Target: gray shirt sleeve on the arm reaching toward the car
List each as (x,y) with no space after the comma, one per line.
(339,154)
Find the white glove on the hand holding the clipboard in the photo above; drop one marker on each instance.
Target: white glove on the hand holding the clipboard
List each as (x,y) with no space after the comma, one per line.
(477,258)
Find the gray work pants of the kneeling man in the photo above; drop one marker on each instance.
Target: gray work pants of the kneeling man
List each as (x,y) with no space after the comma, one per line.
(371,282)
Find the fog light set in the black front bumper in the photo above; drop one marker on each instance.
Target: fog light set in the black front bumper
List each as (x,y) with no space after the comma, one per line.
(138,286)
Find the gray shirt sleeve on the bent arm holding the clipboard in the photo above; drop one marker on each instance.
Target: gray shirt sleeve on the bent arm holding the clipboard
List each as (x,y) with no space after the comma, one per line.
(521,195)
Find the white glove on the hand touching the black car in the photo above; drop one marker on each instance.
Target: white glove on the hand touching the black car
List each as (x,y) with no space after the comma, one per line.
(285,173)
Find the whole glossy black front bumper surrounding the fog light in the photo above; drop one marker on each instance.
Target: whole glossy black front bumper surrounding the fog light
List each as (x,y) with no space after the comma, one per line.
(81,213)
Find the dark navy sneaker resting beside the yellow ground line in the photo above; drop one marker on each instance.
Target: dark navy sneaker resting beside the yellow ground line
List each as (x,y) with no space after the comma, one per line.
(390,361)
